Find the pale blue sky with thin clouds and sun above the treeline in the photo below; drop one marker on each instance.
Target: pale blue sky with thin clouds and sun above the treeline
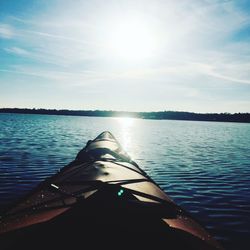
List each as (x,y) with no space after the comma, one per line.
(188,55)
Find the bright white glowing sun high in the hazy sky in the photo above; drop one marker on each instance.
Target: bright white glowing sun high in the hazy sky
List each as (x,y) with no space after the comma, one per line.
(130,39)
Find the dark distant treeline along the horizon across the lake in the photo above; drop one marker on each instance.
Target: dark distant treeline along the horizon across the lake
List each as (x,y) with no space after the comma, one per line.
(161,115)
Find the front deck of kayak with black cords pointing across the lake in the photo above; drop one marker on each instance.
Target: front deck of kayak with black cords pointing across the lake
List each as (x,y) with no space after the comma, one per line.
(101,199)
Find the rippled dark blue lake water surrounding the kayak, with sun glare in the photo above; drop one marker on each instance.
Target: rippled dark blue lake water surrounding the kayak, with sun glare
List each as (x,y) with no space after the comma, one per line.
(203,166)
